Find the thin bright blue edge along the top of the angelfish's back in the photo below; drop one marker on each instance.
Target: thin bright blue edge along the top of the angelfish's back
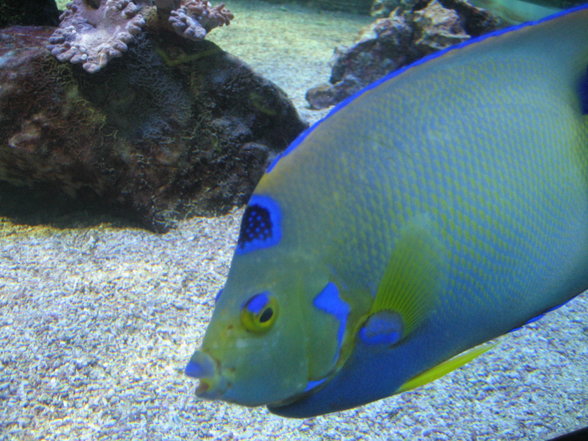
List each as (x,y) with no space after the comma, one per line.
(346,101)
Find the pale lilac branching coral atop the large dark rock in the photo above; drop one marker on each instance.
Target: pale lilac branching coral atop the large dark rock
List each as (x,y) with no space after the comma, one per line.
(92,32)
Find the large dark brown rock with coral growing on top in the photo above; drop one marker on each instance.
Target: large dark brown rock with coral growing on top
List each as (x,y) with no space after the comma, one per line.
(173,128)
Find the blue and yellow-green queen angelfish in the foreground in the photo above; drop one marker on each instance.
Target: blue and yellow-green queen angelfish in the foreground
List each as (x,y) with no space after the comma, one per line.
(440,207)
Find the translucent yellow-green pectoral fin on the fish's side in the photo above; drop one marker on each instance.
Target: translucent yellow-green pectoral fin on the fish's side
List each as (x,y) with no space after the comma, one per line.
(414,276)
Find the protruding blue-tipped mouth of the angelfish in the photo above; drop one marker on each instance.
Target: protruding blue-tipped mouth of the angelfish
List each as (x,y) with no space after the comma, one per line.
(212,384)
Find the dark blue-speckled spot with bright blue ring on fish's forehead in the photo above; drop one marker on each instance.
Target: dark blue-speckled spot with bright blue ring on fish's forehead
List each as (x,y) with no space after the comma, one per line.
(261,225)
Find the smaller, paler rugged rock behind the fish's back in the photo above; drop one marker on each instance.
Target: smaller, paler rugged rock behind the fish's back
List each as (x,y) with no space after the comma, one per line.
(413,30)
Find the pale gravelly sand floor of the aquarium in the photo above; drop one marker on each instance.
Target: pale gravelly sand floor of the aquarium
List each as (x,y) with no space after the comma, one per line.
(98,317)
